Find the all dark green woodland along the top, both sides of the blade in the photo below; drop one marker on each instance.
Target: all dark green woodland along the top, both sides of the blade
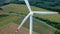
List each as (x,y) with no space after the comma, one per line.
(47,4)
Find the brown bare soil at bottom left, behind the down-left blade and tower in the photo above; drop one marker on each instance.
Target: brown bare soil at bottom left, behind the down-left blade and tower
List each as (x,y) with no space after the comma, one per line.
(10,29)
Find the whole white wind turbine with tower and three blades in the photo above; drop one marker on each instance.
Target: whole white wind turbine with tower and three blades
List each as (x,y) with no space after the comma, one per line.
(31,17)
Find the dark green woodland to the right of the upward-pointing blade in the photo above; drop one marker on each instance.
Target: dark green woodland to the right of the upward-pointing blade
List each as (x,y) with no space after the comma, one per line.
(47,4)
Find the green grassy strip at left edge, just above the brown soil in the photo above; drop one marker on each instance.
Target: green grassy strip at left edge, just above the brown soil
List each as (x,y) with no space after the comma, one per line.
(6,20)
